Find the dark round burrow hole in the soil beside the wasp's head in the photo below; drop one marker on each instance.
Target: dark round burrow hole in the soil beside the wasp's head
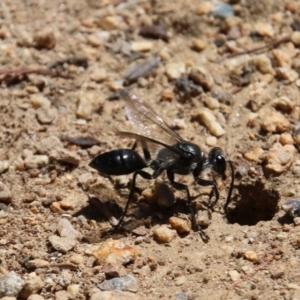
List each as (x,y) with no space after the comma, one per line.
(254,203)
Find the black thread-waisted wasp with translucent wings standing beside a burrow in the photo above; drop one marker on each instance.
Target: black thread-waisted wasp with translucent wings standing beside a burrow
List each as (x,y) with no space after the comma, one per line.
(173,154)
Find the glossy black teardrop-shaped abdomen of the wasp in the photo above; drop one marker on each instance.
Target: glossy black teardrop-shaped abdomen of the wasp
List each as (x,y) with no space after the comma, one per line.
(118,162)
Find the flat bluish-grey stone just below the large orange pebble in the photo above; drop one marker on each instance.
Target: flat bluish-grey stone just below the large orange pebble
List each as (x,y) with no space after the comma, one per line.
(126,283)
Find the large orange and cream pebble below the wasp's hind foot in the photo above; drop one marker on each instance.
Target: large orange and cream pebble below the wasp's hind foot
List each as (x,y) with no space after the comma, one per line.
(114,252)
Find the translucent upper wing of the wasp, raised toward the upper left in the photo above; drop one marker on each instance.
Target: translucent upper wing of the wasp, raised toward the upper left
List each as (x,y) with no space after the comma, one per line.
(146,122)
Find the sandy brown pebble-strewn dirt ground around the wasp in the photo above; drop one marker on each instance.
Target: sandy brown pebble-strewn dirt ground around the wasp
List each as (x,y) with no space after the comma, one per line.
(61,64)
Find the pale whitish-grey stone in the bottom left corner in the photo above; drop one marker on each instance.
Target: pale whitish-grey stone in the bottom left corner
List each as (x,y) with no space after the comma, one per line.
(11,285)
